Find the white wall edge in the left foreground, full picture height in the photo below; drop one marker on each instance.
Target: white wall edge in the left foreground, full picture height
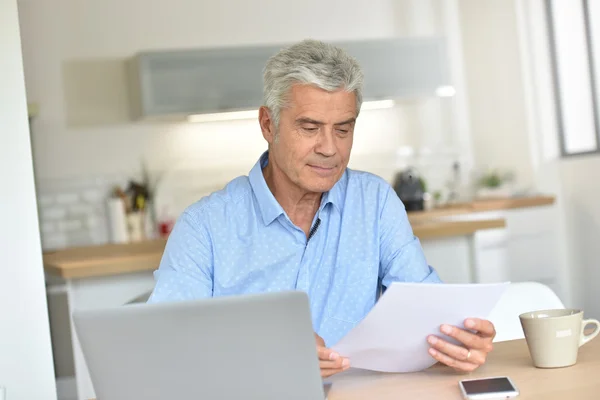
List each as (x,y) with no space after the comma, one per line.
(25,354)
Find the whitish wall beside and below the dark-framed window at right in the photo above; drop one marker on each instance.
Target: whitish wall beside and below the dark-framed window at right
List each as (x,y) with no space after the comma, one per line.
(572,179)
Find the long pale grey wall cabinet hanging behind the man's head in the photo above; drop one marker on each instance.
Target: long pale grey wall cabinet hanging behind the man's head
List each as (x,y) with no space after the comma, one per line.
(176,83)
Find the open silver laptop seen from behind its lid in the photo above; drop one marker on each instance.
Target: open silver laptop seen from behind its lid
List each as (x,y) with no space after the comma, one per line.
(242,347)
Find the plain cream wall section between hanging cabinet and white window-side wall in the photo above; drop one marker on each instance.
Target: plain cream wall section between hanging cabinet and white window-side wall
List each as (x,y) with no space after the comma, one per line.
(495,87)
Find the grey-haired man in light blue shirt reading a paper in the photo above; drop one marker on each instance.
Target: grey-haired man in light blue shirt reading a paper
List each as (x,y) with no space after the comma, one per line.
(302,220)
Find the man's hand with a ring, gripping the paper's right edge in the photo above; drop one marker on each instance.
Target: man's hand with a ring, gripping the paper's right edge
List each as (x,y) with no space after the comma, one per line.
(476,346)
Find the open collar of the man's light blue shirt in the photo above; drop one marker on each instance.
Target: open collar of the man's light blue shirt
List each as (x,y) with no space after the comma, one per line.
(270,209)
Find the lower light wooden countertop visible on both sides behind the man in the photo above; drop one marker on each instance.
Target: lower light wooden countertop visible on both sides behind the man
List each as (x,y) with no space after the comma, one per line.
(113,259)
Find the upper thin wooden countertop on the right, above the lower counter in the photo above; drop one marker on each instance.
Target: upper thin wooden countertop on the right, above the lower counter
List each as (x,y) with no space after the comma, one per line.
(482,205)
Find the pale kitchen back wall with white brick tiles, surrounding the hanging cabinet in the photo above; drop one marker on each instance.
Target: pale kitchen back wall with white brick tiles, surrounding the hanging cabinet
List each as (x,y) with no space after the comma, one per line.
(84,142)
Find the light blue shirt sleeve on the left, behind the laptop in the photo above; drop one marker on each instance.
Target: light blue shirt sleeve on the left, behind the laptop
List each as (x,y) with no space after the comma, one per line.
(186,267)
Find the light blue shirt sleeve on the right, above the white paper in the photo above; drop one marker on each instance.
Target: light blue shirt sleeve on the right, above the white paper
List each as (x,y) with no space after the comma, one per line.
(401,255)
